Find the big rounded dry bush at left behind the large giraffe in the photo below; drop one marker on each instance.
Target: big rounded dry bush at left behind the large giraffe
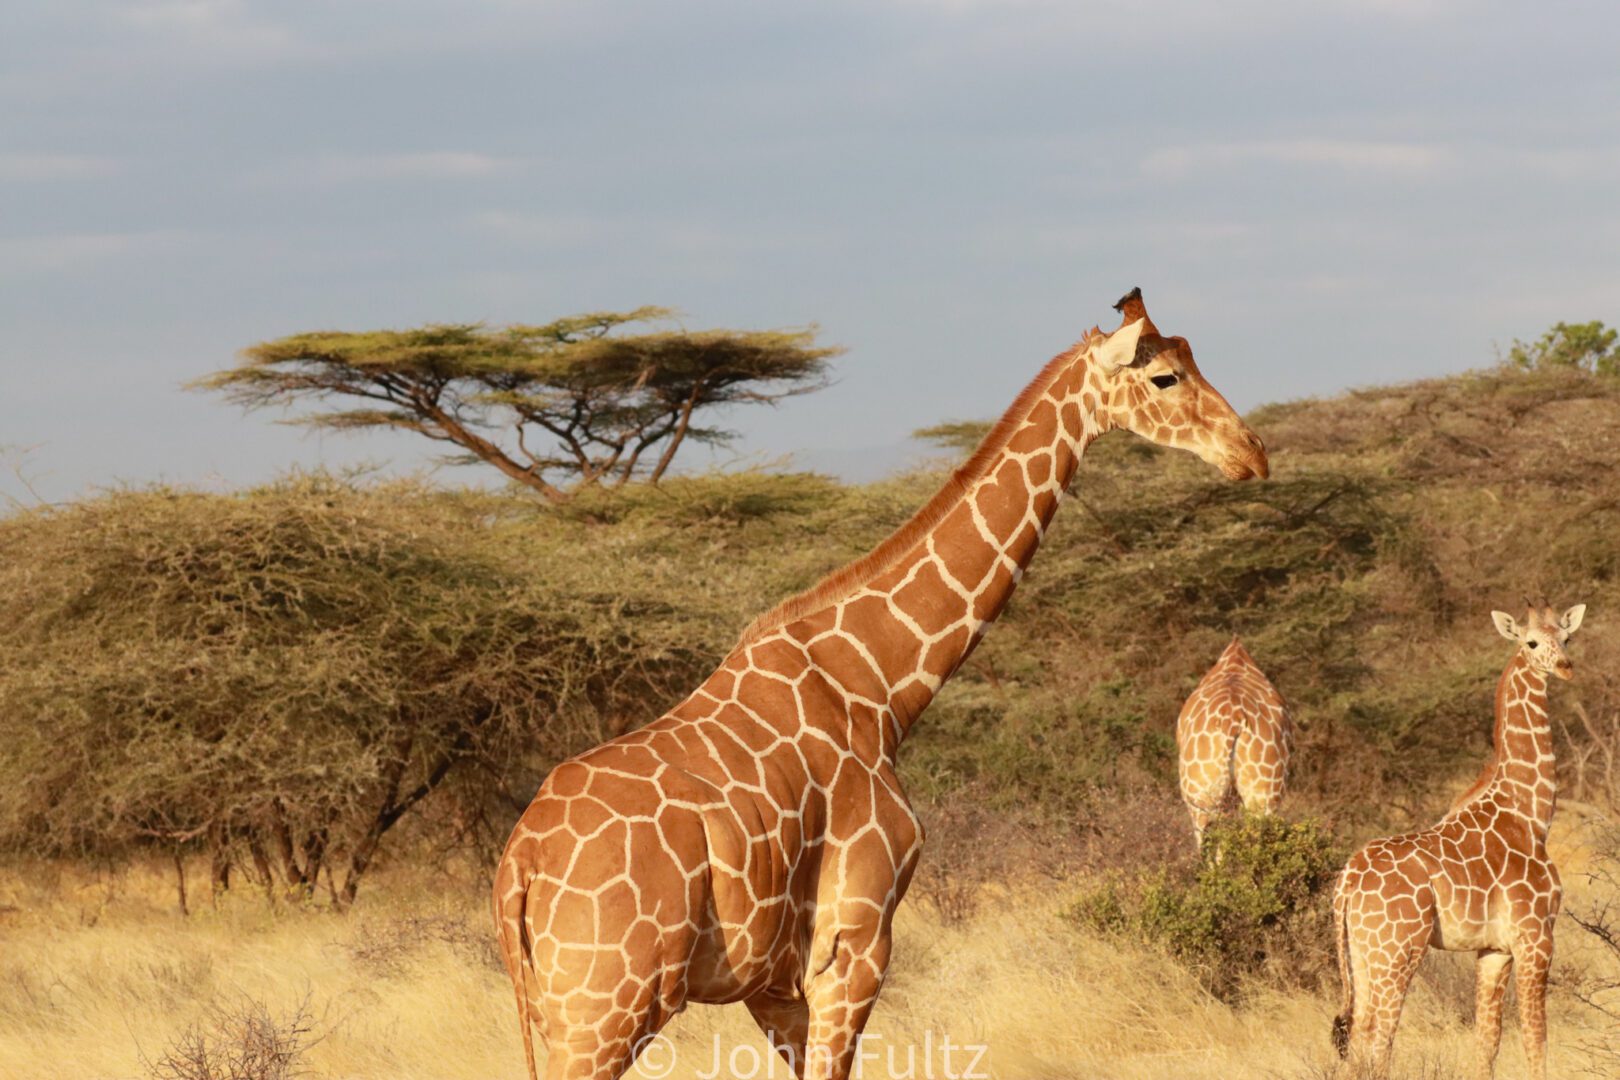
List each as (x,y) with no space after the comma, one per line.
(283,674)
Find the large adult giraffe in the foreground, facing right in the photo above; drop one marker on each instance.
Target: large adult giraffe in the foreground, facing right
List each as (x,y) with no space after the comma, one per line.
(754,843)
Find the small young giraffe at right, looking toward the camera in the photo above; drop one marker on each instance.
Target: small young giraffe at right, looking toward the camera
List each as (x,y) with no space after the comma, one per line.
(1477,882)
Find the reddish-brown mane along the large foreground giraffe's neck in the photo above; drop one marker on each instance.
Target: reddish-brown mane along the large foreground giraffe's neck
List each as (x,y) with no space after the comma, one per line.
(851,577)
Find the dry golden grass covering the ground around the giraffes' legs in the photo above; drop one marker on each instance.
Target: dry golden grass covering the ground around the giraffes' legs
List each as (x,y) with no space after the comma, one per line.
(404,989)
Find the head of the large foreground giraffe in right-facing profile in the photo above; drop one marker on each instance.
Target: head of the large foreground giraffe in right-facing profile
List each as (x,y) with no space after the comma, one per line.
(1151,386)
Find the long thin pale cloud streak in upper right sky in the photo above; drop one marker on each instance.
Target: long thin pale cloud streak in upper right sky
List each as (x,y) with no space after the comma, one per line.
(1413,159)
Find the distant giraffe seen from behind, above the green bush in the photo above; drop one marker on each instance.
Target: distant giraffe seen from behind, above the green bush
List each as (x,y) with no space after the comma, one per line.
(1234,739)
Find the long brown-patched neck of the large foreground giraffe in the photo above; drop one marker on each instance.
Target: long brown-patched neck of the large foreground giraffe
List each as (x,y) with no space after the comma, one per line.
(889,636)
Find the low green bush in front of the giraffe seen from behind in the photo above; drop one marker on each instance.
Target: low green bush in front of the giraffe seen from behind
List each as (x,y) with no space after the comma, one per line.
(1258,895)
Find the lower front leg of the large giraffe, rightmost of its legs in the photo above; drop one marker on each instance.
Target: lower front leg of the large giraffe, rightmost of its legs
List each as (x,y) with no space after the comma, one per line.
(845,989)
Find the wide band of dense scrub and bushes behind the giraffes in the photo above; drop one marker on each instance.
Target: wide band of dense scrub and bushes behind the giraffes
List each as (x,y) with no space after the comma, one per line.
(276,679)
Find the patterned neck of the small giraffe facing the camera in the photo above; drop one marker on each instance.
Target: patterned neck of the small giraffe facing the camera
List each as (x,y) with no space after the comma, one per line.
(1524,770)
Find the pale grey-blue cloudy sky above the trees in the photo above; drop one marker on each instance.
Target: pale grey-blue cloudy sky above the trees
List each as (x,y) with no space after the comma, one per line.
(1318,195)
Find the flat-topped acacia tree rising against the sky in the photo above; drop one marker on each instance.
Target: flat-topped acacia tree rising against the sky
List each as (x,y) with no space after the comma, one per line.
(555,407)
